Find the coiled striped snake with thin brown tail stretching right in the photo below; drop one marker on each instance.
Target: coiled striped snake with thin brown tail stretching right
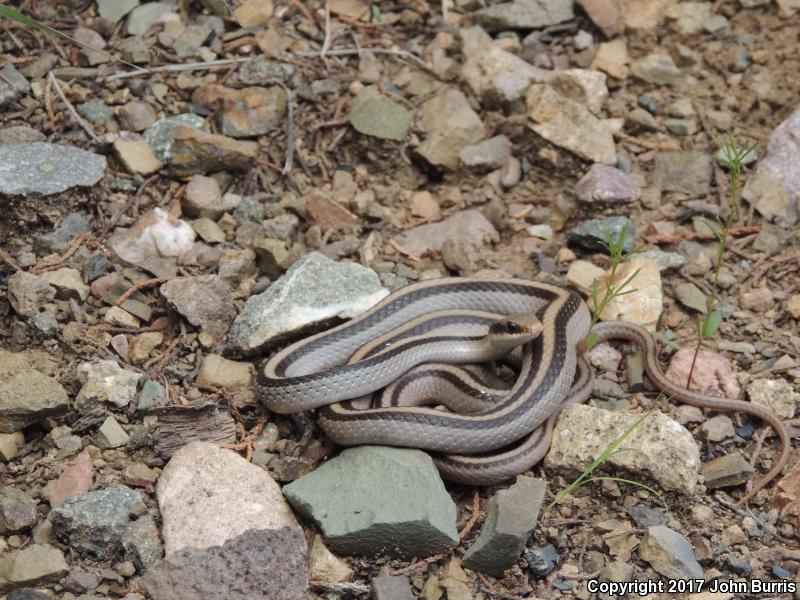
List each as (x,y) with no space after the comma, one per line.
(504,432)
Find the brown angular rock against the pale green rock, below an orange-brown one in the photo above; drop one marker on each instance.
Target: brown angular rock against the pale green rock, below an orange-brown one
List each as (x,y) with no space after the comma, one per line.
(196,151)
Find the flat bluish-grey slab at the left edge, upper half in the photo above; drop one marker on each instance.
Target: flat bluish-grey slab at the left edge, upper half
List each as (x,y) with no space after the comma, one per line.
(40,168)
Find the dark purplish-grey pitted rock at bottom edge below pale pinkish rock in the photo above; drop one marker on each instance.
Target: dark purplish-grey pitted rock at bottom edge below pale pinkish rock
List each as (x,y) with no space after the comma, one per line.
(268,564)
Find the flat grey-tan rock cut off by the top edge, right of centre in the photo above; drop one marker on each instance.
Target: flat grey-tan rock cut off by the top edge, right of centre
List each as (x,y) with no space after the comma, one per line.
(525,14)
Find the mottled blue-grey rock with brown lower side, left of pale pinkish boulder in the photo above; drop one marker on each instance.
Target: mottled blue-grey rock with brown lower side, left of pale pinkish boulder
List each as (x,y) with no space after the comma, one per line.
(97,522)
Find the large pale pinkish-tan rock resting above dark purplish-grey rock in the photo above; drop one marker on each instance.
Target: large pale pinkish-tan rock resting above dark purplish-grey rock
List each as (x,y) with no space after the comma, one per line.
(208,496)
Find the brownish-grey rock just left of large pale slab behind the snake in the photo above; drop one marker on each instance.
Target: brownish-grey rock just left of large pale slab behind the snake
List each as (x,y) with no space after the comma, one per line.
(206,301)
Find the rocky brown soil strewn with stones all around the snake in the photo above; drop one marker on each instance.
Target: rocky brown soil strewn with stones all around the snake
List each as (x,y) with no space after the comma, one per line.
(282,166)
